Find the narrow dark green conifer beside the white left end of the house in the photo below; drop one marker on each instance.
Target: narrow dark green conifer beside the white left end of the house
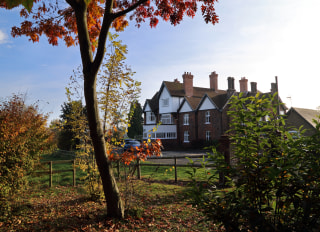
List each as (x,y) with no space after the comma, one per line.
(135,128)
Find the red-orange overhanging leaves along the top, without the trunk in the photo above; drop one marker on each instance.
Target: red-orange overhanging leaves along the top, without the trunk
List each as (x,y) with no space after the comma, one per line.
(57,20)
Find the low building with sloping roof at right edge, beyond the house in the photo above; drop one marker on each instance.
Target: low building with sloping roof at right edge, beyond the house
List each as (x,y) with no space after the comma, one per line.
(297,117)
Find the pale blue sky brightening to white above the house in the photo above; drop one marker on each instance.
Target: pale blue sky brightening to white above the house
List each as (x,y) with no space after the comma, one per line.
(256,39)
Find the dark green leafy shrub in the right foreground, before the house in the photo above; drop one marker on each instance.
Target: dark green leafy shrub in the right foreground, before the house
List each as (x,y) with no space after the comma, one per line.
(273,179)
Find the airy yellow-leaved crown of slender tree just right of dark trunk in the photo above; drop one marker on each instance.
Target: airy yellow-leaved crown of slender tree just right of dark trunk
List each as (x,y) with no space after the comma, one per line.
(117,86)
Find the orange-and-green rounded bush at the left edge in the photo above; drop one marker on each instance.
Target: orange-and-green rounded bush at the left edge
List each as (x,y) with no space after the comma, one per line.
(24,137)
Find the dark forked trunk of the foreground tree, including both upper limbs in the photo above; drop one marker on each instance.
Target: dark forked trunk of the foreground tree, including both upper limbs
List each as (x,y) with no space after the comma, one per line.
(90,70)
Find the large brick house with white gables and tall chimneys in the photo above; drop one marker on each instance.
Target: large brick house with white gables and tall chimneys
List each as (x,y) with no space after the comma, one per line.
(191,116)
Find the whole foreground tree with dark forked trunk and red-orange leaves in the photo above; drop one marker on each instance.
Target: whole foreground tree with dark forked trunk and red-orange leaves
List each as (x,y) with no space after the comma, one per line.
(87,23)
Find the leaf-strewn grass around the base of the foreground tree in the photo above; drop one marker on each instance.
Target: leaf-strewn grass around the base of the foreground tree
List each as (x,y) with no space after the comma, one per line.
(153,206)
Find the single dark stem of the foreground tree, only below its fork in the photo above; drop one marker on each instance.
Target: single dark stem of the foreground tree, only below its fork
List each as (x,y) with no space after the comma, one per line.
(110,188)
